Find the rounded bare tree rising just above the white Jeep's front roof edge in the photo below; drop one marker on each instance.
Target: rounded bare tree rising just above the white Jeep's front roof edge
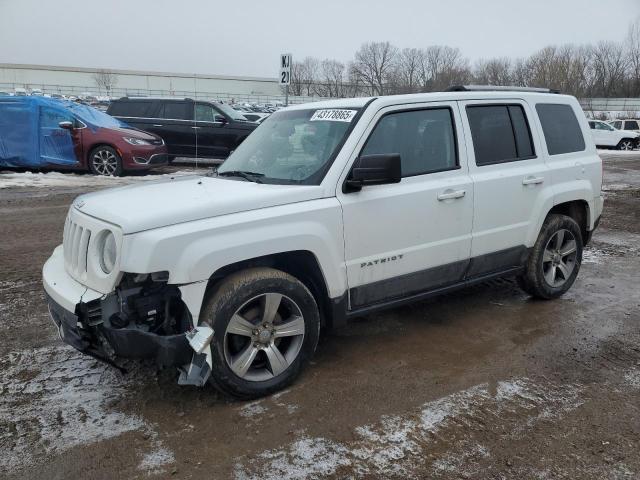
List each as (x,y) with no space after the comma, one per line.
(374,63)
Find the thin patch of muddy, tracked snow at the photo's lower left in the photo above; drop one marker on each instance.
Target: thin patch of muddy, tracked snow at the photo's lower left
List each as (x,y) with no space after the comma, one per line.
(55,398)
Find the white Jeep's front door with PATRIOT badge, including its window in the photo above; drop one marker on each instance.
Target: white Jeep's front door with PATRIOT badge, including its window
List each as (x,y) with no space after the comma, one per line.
(415,235)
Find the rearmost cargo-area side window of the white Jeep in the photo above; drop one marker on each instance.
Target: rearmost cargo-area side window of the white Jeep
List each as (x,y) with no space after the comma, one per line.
(561,129)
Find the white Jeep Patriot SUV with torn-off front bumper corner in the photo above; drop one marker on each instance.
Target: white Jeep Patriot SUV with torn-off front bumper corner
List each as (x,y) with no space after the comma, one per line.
(327,211)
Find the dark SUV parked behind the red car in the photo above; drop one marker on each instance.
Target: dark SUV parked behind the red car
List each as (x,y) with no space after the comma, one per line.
(189,128)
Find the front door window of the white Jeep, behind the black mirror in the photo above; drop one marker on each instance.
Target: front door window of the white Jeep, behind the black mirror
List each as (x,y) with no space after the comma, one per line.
(425,140)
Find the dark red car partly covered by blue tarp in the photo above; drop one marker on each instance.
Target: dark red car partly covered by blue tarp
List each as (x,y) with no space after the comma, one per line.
(41,132)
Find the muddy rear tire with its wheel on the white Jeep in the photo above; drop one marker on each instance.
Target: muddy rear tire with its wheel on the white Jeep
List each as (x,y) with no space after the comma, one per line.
(555,259)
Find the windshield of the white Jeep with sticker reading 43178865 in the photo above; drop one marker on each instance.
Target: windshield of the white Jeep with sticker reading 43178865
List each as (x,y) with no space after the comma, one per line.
(294,146)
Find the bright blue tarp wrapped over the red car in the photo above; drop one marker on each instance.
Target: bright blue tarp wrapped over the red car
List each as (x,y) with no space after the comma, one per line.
(30,135)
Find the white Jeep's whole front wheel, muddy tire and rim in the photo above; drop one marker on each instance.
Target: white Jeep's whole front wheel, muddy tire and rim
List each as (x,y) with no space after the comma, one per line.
(266,325)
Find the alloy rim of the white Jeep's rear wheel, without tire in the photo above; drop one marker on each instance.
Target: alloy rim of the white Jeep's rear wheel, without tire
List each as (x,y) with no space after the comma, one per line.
(559,258)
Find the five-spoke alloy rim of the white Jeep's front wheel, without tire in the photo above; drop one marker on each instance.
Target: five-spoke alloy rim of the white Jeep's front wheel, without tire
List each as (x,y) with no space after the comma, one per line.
(264,337)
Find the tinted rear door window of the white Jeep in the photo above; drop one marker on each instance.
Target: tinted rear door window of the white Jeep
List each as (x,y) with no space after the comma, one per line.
(500,133)
